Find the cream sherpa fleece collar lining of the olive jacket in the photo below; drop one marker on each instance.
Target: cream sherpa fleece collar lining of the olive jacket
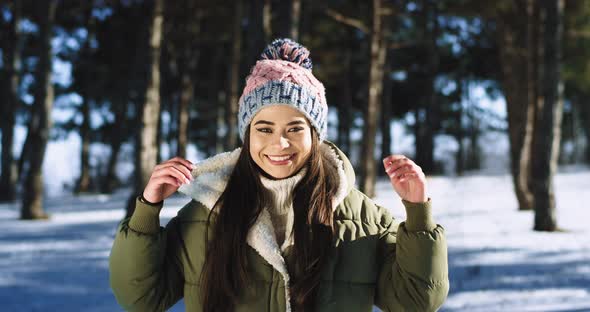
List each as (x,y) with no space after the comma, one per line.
(210,179)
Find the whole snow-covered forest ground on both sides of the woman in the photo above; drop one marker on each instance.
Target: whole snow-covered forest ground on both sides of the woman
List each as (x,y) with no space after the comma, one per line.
(497,263)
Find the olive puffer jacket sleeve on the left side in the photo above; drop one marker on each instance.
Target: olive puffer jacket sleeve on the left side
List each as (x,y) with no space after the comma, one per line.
(145,269)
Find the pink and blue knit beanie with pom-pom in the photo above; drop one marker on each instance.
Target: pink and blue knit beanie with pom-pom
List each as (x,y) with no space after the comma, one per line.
(282,76)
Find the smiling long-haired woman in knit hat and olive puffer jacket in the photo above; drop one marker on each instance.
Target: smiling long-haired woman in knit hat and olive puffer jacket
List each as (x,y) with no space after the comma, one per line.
(277,224)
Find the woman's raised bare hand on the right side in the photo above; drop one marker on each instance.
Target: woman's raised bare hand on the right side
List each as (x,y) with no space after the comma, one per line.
(406,177)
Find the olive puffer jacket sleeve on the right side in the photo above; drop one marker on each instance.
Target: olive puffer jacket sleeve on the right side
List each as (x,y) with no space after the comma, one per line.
(414,268)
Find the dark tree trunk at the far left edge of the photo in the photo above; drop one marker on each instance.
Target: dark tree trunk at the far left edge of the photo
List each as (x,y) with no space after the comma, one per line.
(8,108)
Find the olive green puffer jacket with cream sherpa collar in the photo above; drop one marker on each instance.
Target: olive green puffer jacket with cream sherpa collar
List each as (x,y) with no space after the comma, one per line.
(374,260)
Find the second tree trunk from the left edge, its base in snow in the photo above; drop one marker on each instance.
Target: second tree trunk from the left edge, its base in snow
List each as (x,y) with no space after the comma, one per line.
(40,123)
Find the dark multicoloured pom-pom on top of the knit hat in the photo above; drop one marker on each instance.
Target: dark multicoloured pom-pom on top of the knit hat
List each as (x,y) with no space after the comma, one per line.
(287,50)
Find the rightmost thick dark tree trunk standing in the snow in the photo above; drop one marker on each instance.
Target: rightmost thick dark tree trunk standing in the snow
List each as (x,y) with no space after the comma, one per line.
(548,119)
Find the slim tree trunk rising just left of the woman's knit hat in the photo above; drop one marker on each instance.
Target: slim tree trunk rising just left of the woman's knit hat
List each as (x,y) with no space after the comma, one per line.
(231,116)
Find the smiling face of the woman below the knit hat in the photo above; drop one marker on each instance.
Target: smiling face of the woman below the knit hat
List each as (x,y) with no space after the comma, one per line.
(280,140)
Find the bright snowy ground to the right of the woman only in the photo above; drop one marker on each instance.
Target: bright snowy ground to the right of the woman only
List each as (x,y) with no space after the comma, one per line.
(496,262)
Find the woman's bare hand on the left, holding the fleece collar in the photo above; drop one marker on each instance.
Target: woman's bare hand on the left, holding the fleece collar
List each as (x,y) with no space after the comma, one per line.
(166,178)
